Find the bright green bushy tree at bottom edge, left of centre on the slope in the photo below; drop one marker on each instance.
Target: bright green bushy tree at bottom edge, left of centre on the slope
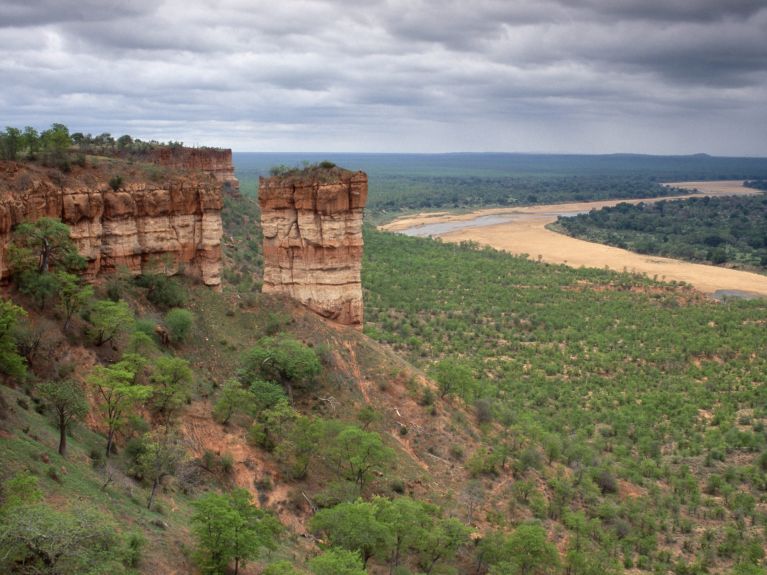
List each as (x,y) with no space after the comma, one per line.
(228,527)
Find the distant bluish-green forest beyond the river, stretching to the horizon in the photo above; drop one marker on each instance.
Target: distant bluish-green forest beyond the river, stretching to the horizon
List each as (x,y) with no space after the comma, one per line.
(440,181)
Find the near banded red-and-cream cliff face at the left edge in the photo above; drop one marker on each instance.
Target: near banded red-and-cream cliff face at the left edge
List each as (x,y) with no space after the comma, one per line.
(170,226)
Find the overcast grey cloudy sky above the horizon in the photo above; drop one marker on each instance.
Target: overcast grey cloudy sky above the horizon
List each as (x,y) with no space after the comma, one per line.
(649,76)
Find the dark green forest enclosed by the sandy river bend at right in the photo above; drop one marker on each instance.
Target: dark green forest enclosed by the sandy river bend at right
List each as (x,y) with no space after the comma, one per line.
(730,231)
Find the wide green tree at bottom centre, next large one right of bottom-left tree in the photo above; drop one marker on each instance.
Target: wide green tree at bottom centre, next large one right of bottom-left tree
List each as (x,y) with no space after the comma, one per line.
(354,526)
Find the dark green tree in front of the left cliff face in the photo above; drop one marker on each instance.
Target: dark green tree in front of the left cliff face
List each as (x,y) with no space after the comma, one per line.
(41,244)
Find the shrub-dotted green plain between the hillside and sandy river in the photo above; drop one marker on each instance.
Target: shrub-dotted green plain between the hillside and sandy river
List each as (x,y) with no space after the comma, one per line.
(631,413)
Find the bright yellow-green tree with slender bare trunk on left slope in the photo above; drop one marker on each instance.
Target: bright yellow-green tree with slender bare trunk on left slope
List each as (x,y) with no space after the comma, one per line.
(115,385)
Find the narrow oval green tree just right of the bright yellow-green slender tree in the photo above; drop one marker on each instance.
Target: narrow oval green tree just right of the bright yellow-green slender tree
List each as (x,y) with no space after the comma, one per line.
(171,379)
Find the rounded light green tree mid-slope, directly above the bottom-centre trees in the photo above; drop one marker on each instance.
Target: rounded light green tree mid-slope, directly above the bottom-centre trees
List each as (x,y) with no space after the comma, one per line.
(356,454)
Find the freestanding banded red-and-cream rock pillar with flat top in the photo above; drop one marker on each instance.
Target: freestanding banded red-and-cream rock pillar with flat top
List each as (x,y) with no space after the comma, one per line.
(312,224)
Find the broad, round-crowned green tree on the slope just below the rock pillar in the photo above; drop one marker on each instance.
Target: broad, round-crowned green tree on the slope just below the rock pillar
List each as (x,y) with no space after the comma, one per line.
(282,359)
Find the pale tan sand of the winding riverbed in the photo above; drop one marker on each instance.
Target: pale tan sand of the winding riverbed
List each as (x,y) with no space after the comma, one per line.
(530,236)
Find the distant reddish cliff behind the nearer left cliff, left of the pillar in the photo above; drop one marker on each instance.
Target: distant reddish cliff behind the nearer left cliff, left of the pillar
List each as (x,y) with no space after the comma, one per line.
(213,161)
